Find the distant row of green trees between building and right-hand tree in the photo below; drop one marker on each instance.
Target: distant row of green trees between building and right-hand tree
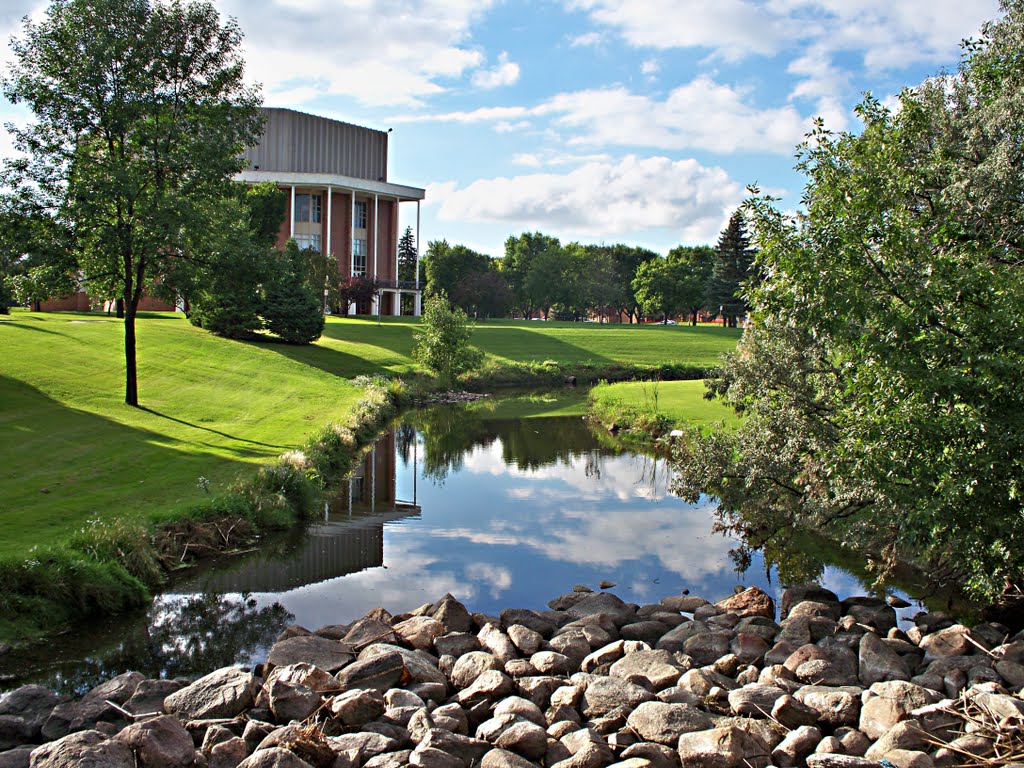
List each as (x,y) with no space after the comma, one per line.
(540,276)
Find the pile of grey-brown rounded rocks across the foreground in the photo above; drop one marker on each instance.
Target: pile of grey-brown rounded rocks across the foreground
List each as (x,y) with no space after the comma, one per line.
(593,682)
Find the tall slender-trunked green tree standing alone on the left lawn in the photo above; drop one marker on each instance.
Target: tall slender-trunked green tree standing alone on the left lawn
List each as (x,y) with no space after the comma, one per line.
(141,119)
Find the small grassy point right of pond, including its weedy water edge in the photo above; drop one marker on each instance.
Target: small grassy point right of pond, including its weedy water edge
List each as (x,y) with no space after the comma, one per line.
(643,411)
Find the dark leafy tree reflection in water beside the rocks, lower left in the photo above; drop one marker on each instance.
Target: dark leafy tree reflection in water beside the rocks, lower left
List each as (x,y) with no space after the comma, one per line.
(186,636)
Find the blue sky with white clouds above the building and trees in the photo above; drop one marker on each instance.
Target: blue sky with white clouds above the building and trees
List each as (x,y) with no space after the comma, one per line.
(600,121)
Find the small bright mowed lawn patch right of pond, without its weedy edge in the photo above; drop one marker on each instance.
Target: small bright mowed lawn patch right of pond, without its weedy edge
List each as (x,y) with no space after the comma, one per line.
(681,402)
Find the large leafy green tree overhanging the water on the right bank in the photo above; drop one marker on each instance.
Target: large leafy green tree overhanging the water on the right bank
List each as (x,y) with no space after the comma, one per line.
(883,375)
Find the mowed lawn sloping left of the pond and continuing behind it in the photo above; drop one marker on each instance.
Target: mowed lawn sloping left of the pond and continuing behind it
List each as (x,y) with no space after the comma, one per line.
(71,450)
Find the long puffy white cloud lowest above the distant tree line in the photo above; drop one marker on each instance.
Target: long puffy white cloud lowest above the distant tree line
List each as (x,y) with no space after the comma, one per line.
(602,199)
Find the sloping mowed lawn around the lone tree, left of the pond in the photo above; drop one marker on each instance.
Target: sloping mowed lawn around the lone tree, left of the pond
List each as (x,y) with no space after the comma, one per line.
(71,450)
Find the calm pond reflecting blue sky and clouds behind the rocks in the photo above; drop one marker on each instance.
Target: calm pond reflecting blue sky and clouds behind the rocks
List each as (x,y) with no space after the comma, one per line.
(499,513)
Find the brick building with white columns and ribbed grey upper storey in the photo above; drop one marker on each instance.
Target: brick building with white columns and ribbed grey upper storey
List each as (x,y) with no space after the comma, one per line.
(340,201)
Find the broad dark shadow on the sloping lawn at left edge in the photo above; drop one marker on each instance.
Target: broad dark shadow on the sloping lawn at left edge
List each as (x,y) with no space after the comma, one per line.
(61,466)
